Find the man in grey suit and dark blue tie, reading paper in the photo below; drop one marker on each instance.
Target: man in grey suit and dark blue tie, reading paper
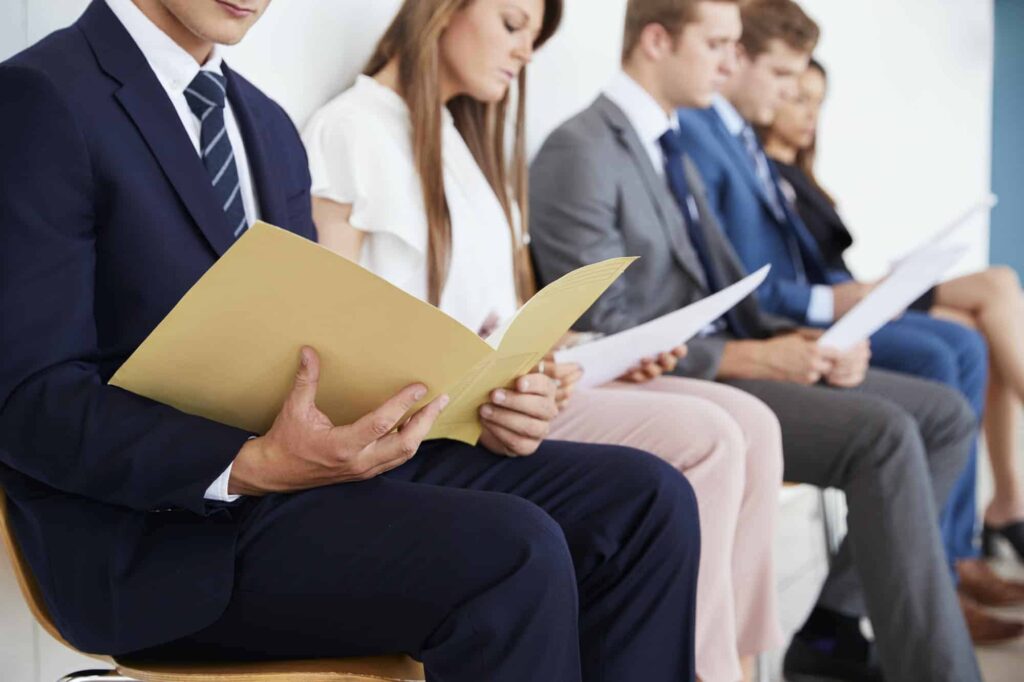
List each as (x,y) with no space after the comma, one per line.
(614,182)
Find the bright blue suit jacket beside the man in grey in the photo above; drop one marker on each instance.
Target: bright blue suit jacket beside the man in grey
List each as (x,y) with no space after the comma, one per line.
(745,214)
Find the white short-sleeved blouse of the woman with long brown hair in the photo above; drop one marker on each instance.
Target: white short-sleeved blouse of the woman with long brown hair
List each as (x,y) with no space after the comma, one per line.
(361,153)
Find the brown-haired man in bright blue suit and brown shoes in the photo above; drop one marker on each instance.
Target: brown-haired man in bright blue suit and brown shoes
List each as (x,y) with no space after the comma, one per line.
(747,196)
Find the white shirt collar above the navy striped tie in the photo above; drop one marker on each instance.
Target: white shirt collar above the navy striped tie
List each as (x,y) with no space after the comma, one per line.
(174,66)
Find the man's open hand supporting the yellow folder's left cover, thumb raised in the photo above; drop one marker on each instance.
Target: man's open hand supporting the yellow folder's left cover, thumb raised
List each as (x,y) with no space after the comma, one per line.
(304,450)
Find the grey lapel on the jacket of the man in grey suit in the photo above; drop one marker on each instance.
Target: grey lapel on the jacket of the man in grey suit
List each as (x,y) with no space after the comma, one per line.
(658,191)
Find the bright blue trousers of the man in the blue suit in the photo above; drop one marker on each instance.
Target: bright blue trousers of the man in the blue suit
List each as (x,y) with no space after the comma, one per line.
(957,357)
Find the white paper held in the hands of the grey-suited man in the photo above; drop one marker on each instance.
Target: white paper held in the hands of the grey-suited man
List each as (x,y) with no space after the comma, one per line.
(912,278)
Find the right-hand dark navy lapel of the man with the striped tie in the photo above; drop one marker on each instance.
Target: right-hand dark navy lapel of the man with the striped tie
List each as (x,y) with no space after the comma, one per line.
(265,162)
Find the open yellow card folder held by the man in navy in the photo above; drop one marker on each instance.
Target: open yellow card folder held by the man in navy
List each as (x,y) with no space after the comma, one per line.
(230,350)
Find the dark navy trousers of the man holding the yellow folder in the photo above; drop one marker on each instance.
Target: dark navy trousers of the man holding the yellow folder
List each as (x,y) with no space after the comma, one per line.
(577,564)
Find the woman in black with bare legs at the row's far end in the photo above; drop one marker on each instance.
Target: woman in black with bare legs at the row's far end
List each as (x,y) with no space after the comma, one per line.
(991,302)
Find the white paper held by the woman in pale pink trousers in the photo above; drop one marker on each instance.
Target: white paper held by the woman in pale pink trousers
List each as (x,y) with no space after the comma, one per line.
(610,358)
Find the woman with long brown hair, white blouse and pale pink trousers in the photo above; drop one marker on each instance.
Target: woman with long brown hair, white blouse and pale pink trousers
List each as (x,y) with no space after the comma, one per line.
(412,180)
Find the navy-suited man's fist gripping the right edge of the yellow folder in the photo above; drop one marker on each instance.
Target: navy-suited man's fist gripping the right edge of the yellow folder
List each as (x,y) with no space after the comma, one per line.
(517,421)
